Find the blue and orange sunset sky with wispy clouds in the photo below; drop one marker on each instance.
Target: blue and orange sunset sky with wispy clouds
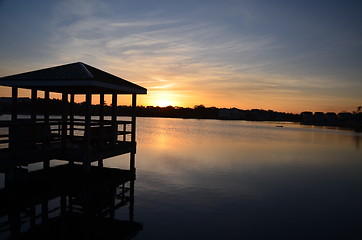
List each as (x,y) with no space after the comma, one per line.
(284,55)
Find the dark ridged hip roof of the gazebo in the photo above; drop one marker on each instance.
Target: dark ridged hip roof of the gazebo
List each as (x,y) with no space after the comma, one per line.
(72,78)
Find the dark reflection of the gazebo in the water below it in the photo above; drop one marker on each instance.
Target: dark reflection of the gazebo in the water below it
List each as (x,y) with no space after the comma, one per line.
(64,202)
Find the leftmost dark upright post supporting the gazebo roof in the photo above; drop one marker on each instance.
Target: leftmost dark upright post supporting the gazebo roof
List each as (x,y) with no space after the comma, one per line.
(14,119)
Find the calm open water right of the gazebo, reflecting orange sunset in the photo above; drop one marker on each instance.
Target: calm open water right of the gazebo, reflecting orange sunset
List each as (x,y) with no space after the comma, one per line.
(210,179)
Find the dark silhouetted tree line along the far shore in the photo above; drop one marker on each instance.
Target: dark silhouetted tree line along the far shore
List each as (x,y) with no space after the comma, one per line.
(56,107)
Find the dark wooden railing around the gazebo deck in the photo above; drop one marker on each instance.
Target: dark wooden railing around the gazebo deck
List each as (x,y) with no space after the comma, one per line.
(25,132)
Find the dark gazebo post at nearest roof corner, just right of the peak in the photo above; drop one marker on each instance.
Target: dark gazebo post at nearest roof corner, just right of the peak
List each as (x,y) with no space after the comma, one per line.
(87,133)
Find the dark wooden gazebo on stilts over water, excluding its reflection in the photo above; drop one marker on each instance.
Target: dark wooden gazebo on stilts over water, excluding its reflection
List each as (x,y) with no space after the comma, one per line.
(83,139)
